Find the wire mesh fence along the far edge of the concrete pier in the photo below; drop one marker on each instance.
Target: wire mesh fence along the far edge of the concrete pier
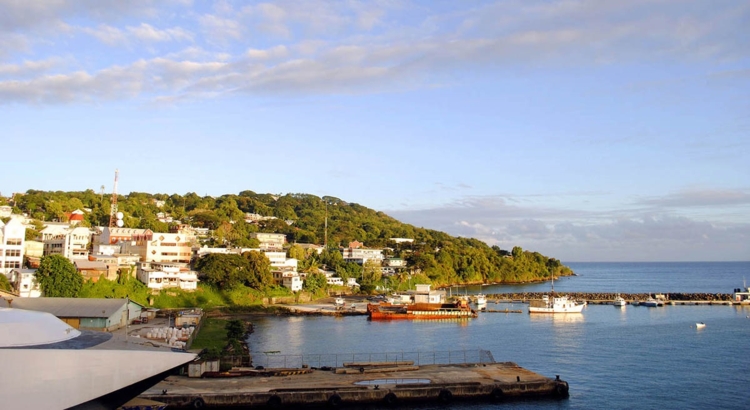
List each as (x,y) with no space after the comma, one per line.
(273,360)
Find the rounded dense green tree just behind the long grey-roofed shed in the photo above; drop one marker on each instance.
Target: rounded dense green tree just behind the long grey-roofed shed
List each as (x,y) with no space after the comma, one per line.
(58,277)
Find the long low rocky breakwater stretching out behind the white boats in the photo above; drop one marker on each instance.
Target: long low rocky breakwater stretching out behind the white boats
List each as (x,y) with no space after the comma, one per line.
(603,297)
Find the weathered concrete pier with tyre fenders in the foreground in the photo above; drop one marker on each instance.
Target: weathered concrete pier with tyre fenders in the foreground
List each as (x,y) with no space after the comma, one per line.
(436,383)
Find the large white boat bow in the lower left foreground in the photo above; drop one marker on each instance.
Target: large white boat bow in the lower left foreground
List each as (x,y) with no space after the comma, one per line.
(55,366)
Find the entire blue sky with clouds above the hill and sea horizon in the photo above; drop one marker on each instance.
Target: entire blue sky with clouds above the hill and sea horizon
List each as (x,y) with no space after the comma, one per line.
(585,130)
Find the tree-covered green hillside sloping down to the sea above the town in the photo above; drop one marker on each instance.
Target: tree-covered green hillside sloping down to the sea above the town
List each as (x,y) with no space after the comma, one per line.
(444,259)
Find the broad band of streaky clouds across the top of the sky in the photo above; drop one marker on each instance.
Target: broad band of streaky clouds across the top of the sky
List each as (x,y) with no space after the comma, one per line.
(321,47)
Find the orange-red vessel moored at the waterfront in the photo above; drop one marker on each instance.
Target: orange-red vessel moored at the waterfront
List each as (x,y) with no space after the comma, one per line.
(386,311)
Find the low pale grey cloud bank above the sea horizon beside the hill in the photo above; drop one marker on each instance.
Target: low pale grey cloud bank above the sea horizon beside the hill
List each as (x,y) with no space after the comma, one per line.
(615,234)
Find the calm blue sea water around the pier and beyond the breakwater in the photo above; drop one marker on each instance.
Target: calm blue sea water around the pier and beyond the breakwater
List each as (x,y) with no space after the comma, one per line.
(632,357)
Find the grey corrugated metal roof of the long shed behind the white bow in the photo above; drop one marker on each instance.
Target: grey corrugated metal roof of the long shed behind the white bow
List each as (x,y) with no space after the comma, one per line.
(71,307)
